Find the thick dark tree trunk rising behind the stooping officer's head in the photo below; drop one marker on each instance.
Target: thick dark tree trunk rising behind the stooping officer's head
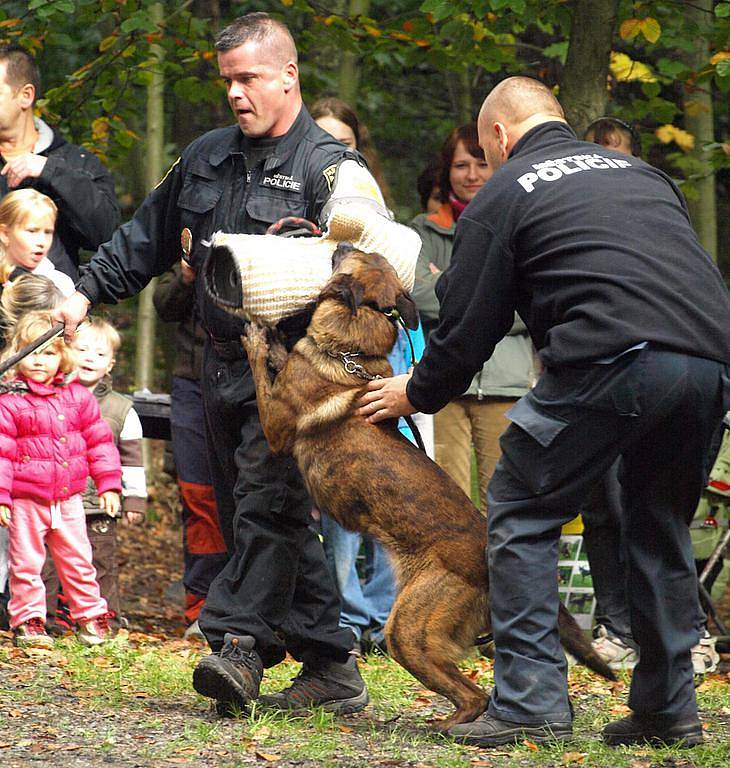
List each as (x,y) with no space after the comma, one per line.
(583,91)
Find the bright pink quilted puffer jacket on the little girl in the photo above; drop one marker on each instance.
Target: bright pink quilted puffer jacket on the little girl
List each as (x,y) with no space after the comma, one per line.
(51,438)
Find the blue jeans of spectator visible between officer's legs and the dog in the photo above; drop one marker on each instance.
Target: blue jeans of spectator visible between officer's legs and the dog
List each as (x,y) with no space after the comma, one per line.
(365,606)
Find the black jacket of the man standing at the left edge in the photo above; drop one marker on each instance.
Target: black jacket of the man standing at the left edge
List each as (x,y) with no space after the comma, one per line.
(83,190)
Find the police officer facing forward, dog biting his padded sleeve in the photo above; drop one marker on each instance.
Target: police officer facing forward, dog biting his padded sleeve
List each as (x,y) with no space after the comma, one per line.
(275,594)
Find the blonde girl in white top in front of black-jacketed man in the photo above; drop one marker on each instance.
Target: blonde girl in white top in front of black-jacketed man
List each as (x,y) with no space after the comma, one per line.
(27,223)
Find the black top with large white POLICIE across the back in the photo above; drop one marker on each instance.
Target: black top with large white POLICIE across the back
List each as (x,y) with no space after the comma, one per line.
(593,248)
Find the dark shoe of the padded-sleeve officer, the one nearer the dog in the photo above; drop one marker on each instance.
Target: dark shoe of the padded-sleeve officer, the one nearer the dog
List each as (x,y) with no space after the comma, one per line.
(334,686)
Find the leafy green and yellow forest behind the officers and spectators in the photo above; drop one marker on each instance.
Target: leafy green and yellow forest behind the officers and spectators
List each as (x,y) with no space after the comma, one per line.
(136,80)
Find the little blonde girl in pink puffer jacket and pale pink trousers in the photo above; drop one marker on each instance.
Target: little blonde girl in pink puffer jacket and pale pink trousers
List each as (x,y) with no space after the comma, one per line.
(51,436)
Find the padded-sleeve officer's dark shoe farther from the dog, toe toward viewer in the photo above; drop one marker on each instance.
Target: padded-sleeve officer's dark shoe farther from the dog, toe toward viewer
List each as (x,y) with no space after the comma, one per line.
(232,676)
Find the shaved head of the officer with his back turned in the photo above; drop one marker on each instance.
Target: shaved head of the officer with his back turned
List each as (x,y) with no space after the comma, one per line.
(511,109)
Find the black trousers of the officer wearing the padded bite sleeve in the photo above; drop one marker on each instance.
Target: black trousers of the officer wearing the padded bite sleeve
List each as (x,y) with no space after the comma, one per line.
(276,585)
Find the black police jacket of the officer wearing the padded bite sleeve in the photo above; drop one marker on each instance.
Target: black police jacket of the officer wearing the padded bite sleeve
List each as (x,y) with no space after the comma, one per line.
(208,189)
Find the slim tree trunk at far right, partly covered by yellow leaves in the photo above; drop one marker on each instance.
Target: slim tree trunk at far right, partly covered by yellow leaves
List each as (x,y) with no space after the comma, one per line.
(698,120)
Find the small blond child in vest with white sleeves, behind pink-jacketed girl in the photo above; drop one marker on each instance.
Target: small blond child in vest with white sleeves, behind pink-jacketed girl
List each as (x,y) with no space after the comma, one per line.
(96,344)
